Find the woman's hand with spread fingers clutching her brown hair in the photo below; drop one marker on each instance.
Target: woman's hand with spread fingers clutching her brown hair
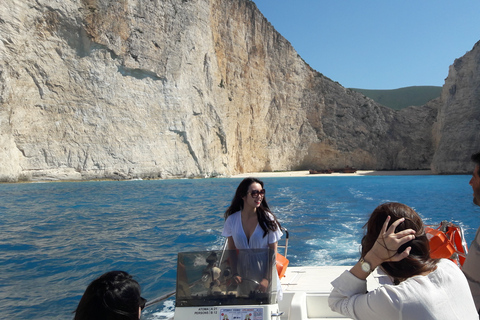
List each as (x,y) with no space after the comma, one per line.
(388,242)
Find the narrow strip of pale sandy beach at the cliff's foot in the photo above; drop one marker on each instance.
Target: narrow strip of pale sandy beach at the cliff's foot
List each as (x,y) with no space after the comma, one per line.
(305,173)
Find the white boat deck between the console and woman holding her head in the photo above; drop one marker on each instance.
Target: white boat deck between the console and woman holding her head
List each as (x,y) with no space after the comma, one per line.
(306,291)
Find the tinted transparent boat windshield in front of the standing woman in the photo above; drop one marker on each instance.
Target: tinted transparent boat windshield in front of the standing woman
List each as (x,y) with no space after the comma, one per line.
(209,278)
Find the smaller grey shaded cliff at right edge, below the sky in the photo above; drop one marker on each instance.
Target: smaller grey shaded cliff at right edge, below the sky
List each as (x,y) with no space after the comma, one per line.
(457,129)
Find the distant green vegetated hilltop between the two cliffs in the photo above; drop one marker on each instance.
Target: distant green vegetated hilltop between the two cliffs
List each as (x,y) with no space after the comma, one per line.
(404,97)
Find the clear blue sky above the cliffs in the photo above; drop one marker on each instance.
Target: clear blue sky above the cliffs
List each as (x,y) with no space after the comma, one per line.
(378,44)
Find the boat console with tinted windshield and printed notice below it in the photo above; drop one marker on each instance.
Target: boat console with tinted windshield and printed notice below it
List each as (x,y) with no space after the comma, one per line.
(207,290)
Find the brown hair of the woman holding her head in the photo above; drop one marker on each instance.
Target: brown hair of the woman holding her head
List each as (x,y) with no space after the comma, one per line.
(418,261)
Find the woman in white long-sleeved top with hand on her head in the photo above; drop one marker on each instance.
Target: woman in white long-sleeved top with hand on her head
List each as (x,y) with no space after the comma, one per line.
(421,288)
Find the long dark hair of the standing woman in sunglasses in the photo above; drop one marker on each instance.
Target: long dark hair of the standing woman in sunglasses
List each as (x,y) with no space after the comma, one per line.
(263,219)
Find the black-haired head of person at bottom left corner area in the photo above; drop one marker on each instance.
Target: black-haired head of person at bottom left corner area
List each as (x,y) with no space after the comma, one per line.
(114,295)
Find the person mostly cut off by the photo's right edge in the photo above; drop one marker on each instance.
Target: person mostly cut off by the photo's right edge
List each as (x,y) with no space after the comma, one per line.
(471,266)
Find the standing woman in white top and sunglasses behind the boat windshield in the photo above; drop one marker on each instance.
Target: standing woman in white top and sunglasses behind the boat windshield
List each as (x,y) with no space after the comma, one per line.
(250,224)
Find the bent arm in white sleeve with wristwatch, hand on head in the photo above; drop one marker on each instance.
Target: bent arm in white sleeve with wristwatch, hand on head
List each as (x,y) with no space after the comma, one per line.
(349,295)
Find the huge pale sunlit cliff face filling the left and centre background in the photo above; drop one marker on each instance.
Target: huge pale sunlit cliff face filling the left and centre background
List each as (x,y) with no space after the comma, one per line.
(182,88)
